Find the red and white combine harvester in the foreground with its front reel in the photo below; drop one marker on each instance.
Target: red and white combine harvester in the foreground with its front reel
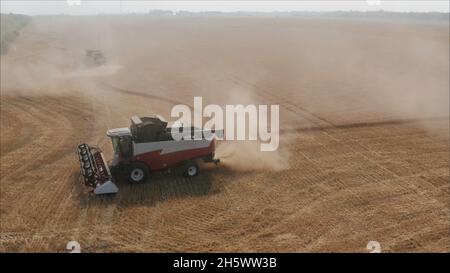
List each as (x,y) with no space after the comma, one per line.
(144,147)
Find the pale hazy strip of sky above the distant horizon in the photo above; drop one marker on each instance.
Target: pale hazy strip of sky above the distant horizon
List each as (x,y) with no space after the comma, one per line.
(76,7)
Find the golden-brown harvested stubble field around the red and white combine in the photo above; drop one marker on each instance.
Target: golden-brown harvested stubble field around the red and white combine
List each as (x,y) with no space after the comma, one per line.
(363,119)
